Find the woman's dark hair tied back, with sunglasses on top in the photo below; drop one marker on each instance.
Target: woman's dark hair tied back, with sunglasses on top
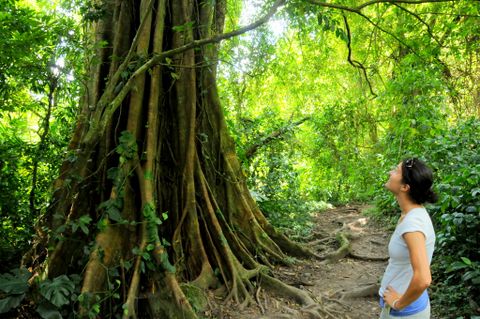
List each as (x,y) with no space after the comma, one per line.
(420,178)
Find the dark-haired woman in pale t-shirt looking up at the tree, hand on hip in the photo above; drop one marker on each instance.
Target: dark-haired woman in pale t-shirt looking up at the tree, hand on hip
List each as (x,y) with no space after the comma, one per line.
(403,292)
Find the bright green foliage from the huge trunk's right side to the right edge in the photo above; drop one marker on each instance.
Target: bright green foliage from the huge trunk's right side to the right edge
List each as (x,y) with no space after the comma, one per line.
(344,152)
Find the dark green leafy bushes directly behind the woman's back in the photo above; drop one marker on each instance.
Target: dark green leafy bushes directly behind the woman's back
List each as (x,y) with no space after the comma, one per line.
(456,157)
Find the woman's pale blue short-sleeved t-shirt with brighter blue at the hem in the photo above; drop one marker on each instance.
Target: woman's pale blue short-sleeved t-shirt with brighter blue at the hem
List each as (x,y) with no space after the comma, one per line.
(399,272)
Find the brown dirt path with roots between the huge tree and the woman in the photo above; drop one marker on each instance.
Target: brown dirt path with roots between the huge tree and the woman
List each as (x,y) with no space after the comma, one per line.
(331,284)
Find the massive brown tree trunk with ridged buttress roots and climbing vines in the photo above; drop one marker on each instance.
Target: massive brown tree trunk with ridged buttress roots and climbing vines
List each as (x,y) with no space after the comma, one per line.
(156,172)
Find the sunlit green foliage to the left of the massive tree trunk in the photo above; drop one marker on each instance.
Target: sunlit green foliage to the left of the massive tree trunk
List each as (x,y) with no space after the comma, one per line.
(40,54)
